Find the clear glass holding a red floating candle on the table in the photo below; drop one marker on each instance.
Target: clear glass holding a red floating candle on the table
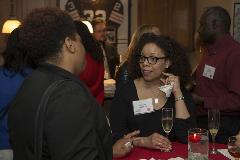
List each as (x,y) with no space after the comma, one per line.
(198,144)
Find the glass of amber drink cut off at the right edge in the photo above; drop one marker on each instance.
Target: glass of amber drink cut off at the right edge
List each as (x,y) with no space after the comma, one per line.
(233,148)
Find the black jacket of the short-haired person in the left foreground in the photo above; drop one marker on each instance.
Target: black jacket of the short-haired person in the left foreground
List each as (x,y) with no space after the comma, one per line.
(75,125)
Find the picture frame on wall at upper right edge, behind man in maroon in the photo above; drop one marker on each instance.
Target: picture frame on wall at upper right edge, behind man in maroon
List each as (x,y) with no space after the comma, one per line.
(236,22)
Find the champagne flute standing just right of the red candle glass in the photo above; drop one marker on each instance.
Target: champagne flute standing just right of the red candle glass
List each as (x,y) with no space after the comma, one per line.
(213,126)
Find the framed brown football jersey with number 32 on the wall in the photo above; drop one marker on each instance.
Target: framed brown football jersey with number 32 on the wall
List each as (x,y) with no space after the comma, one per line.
(114,12)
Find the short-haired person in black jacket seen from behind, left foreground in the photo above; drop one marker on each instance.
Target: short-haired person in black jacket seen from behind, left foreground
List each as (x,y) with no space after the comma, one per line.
(72,126)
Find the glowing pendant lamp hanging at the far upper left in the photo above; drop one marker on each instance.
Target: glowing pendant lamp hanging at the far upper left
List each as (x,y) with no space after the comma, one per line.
(11,23)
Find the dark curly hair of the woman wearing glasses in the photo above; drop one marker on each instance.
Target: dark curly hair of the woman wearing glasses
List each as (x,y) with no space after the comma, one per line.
(175,53)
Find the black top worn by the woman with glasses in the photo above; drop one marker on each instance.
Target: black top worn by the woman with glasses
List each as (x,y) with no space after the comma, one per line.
(123,121)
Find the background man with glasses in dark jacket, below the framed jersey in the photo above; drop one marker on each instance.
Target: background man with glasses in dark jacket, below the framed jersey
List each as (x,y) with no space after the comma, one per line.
(111,56)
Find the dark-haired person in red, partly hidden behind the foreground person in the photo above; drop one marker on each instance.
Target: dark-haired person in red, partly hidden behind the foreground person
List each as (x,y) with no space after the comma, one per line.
(93,73)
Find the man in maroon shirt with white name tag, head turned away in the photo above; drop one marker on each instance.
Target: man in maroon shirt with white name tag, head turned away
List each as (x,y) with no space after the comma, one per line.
(217,75)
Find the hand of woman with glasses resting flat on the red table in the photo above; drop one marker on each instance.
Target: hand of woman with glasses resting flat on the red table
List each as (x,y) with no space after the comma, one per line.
(154,141)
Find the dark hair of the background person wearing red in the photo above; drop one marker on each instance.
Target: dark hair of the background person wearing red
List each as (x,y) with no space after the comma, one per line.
(89,43)
